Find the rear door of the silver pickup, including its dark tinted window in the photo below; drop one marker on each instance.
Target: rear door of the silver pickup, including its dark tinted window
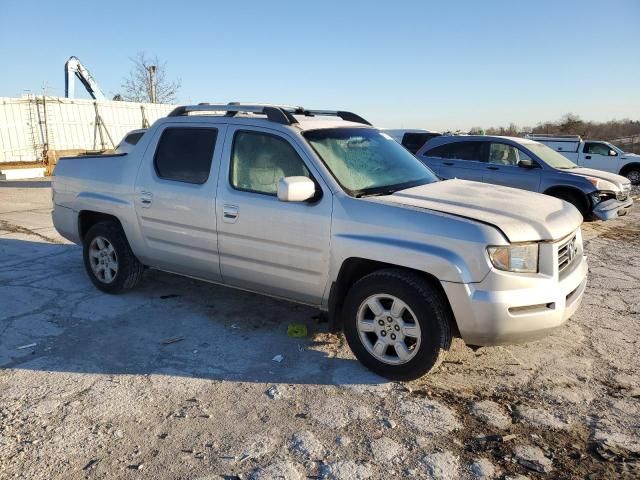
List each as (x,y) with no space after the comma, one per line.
(175,198)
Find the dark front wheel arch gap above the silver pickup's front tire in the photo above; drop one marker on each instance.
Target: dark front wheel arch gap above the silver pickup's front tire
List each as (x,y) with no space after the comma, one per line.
(355,268)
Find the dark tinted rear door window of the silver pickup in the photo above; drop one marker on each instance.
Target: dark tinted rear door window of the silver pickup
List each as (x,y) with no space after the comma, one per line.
(185,154)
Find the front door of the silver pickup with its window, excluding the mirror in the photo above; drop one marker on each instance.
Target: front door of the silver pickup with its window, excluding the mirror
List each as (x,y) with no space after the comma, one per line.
(274,247)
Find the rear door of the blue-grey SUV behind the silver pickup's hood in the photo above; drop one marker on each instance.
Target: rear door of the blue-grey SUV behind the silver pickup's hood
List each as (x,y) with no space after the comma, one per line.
(457,160)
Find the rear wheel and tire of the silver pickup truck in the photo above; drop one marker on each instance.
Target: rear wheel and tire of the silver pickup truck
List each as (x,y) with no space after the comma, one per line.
(108,259)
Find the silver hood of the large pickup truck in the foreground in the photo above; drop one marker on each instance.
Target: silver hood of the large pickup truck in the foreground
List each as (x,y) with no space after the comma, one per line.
(521,216)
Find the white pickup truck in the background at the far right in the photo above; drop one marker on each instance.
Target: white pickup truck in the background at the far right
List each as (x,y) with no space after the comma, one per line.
(596,154)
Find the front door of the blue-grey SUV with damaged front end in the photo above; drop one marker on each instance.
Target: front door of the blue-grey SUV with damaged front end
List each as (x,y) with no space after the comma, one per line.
(502,167)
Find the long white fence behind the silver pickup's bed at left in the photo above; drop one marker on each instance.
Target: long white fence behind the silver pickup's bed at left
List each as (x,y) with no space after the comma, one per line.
(34,125)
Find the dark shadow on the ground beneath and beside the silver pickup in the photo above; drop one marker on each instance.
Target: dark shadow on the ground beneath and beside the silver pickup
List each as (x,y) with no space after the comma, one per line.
(169,325)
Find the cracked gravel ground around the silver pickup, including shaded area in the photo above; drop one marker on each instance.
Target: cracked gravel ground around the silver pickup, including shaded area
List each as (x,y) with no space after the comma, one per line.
(176,379)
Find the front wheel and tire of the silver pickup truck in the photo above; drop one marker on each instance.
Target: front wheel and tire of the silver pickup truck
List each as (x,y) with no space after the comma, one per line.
(424,306)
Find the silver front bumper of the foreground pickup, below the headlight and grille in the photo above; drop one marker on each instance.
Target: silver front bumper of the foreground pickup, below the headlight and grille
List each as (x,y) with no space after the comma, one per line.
(497,312)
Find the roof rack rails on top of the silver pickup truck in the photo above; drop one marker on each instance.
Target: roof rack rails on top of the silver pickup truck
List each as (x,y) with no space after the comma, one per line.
(283,114)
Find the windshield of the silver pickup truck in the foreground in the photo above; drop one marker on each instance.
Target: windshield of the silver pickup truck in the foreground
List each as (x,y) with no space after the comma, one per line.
(366,161)
